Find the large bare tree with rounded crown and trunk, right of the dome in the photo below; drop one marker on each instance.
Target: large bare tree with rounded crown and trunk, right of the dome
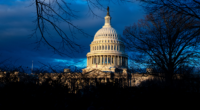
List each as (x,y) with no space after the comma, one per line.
(165,41)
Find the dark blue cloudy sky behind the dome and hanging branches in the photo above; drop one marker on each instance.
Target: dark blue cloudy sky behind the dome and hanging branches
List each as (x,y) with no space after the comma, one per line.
(16,24)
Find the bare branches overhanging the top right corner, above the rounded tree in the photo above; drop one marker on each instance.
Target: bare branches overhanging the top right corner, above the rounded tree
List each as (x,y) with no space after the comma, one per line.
(185,7)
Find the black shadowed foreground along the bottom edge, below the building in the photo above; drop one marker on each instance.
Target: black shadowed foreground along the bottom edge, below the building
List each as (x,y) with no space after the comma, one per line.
(183,95)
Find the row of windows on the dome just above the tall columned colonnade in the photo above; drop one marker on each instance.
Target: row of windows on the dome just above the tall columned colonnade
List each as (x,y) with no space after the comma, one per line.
(112,47)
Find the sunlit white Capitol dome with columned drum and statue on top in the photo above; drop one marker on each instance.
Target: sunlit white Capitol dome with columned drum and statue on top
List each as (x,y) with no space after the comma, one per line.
(107,50)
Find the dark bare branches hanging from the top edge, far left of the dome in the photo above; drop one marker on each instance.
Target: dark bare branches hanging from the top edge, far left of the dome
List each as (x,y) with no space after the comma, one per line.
(47,13)
